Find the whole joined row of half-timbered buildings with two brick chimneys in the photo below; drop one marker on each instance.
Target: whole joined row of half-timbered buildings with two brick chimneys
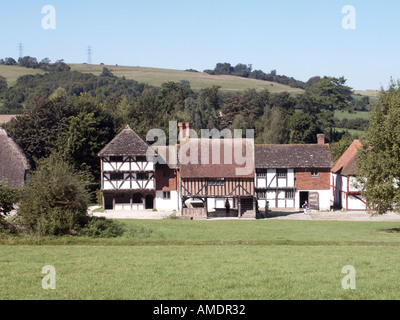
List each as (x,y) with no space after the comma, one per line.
(204,177)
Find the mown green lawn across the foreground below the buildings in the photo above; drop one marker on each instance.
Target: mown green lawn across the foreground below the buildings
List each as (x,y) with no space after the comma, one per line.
(184,260)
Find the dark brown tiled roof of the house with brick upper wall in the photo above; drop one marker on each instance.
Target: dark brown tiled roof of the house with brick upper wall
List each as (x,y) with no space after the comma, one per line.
(287,156)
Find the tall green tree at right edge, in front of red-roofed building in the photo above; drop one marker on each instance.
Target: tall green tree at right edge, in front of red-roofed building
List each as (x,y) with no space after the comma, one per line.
(379,158)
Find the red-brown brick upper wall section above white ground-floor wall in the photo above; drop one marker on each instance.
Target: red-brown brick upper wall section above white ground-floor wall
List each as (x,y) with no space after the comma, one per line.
(304,180)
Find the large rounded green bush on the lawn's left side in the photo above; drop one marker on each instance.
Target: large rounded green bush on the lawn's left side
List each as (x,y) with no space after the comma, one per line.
(56,200)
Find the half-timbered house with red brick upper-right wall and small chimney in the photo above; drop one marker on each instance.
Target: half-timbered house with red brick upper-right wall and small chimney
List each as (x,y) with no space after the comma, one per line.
(288,175)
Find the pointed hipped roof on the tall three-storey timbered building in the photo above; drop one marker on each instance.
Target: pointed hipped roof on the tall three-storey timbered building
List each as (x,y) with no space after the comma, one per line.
(126,143)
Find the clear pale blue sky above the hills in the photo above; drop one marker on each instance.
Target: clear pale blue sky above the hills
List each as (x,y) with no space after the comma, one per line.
(297,38)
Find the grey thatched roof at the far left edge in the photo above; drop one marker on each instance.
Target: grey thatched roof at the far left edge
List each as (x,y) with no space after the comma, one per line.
(13,161)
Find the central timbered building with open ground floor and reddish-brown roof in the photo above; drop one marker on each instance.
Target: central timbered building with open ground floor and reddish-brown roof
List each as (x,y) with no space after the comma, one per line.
(218,175)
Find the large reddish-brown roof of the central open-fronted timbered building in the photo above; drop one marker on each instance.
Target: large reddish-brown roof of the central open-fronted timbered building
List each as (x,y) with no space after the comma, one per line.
(218,162)
